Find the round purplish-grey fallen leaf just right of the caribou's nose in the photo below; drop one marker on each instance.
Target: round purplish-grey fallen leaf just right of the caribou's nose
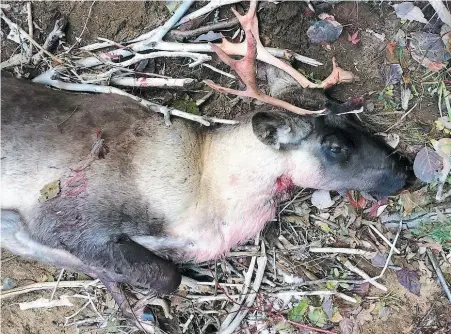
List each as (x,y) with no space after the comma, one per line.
(427,165)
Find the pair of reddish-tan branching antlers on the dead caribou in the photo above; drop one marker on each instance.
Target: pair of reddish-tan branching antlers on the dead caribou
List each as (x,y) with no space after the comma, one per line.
(252,49)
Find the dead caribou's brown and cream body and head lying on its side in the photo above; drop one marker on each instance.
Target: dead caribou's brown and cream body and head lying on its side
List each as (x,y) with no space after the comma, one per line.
(160,194)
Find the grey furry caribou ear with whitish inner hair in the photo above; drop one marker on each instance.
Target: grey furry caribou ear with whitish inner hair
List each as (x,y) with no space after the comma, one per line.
(280,130)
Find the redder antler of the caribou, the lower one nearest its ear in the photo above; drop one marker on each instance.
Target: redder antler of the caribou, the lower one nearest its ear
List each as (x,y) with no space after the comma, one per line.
(245,68)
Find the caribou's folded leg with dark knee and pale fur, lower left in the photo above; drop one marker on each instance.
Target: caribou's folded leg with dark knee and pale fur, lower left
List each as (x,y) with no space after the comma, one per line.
(119,260)
